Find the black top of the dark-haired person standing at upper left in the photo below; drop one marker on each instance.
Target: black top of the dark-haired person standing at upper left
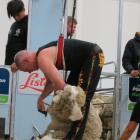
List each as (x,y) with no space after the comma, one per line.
(17,39)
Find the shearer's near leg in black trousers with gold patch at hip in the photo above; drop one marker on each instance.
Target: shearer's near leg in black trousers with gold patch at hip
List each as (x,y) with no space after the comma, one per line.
(89,79)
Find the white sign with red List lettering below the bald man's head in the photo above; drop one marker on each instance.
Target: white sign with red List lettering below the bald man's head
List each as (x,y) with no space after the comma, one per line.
(32,83)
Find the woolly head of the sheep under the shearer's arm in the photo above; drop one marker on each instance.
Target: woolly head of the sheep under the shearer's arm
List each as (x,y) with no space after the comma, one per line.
(67,104)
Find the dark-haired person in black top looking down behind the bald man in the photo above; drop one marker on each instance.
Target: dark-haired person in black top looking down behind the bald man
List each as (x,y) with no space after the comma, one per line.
(17,37)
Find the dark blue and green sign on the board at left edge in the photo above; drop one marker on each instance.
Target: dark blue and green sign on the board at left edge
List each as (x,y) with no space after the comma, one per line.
(4,85)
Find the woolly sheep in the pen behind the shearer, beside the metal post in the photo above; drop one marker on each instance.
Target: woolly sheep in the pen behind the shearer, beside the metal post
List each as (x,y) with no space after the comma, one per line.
(106,112)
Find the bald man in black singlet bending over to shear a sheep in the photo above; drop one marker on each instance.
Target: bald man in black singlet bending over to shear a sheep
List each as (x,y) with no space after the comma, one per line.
(83,59)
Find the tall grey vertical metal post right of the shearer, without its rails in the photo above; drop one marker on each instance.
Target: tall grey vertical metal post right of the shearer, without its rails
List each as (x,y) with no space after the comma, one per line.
(116,115)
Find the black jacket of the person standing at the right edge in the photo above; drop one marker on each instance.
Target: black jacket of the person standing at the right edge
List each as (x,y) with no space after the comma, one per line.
(131,56)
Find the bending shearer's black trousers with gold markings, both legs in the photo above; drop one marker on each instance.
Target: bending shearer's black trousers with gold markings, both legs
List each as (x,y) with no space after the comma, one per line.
(88,80)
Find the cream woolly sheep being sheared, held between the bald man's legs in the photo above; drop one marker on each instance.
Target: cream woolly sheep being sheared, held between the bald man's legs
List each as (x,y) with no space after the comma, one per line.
(66,108)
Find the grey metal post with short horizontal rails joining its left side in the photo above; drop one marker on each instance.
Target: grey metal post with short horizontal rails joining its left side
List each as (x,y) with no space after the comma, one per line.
(117,77)
